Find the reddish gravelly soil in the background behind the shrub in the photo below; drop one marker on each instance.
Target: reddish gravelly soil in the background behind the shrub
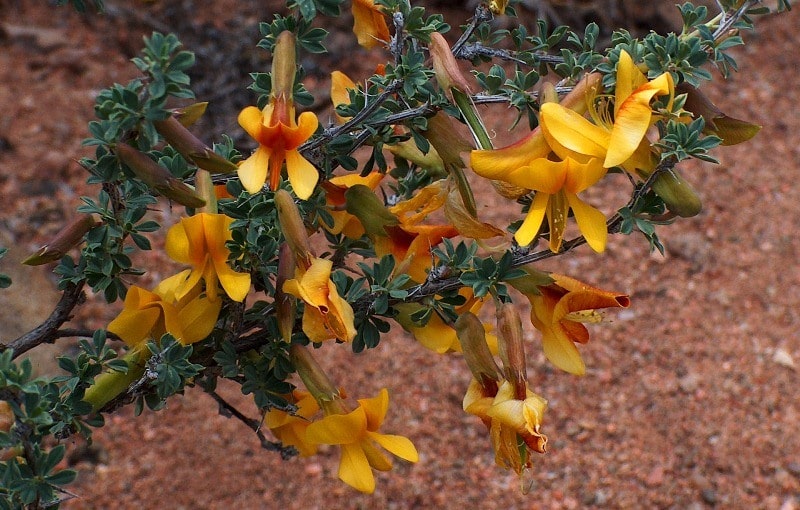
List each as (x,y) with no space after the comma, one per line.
(690,399)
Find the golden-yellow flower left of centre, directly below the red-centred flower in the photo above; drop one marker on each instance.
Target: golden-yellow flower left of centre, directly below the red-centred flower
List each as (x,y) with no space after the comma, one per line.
(200,242)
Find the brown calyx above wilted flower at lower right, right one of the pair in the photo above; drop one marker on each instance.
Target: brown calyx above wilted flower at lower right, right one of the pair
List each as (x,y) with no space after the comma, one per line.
(511,348)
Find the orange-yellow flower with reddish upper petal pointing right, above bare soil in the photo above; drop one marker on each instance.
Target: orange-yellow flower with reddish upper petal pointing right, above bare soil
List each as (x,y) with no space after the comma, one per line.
(558,313)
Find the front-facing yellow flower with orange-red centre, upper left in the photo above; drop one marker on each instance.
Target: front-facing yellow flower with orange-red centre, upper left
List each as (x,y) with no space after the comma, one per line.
(278,136)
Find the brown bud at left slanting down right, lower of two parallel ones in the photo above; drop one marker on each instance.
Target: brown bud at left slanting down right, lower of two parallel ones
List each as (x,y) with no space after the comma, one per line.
(157,178)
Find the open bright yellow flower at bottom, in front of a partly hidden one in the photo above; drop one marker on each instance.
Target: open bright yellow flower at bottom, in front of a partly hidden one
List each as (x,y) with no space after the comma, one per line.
(357,435)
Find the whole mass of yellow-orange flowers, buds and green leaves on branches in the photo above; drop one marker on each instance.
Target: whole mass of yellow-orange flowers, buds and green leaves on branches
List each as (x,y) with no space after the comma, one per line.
(310,238)
